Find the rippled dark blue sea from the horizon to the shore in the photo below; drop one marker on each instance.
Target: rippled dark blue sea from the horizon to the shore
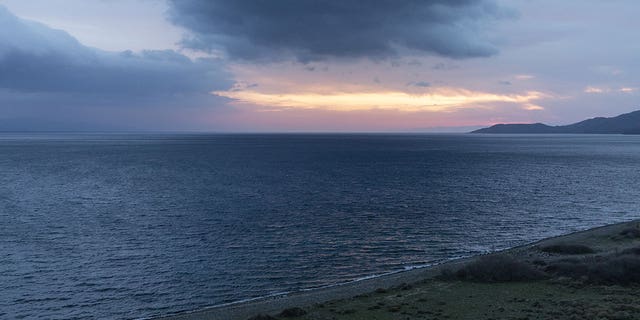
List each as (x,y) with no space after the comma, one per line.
(127,226)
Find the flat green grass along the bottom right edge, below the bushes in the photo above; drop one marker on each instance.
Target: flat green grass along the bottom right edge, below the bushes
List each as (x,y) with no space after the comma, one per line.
(436,299)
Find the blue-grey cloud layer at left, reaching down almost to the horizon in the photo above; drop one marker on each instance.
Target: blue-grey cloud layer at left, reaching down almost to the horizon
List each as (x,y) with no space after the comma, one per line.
(48,73)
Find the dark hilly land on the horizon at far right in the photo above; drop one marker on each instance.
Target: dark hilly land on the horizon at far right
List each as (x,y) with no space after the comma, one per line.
(628,123)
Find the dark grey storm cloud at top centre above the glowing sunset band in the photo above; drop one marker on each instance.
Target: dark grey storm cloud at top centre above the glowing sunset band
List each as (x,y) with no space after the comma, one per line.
(320,29)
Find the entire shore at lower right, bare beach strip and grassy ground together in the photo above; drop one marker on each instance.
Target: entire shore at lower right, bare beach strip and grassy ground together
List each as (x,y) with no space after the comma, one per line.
(564,277)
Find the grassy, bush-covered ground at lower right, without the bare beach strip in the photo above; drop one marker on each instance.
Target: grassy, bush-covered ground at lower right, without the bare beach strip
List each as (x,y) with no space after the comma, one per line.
(557,281)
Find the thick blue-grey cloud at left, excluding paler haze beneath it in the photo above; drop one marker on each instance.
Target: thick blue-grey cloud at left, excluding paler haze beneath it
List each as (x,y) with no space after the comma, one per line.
(37,59)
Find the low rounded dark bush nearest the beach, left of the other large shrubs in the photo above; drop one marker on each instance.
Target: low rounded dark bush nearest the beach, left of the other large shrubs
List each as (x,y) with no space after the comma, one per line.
(497,268)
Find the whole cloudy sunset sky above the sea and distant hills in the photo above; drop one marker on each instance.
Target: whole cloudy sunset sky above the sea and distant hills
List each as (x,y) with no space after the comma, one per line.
(314,65)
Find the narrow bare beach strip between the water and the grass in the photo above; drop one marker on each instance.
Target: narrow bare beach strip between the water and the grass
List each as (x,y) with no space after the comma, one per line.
(274,304)
